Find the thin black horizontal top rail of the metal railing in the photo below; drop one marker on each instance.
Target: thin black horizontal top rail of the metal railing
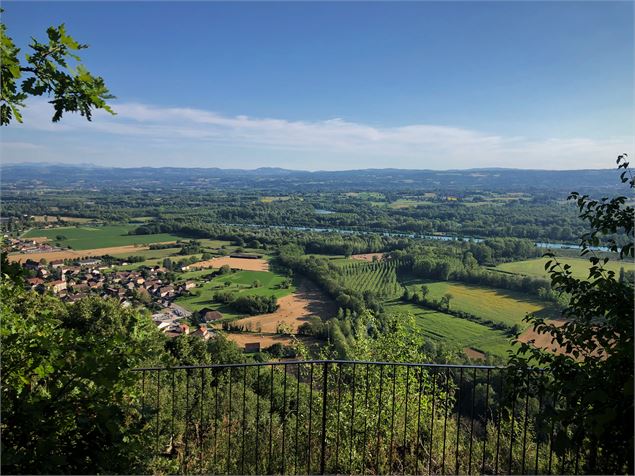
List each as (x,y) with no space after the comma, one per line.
(300,362)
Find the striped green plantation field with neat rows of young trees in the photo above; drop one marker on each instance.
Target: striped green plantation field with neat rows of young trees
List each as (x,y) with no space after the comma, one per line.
(380,277)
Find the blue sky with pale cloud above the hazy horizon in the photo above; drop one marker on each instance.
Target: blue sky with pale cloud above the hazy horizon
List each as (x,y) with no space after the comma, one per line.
(336,86)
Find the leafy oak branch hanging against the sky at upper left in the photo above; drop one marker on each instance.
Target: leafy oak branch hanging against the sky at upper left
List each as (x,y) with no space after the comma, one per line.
(46,70)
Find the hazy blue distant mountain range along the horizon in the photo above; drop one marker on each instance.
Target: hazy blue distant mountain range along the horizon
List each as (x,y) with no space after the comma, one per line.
(60,176)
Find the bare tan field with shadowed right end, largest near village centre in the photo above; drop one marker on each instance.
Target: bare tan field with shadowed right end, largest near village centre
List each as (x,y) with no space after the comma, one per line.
(295,309)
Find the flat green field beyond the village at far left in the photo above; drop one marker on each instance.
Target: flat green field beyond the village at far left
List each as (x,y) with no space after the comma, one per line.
(90,237)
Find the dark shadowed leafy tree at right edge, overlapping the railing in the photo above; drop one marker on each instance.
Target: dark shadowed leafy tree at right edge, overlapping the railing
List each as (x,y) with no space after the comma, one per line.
(593,380)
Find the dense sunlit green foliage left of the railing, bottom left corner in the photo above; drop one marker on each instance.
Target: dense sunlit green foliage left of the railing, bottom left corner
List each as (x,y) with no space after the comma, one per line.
(69,398)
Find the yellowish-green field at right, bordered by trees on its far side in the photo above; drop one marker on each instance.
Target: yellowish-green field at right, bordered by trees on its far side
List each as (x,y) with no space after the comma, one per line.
(498,305)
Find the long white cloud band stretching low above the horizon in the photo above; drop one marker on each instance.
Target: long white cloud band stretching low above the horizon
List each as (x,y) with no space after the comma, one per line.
(326,144)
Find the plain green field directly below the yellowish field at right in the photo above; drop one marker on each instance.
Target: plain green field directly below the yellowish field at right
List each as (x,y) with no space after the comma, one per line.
(455,332)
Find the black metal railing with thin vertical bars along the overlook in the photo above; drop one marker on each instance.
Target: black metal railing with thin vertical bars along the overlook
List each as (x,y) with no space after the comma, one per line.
(341,417)
